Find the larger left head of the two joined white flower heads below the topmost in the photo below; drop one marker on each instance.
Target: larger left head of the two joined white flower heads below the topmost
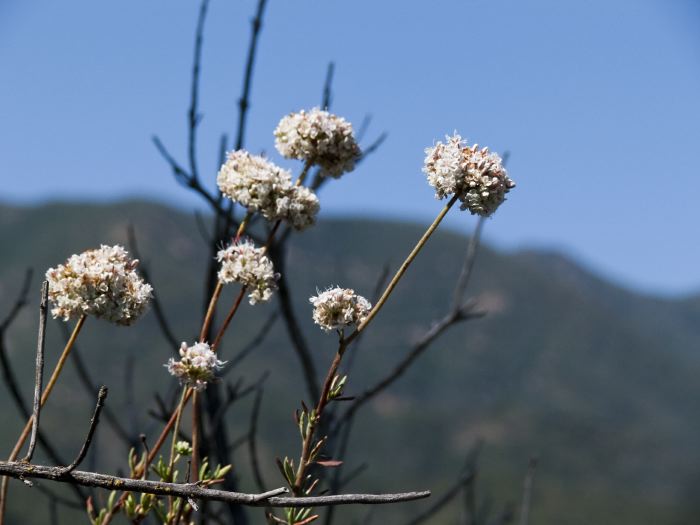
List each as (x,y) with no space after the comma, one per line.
(254,182)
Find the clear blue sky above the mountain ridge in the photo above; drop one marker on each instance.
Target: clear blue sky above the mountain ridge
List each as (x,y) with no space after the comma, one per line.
(596,100)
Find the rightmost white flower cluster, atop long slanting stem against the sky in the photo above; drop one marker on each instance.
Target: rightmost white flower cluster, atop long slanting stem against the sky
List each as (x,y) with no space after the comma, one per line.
(475,175)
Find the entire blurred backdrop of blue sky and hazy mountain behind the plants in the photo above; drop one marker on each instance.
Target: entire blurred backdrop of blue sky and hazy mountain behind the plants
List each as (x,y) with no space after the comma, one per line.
(587,358)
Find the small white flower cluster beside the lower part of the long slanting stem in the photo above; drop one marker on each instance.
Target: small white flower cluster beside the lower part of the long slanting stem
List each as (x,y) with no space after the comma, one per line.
(337,308)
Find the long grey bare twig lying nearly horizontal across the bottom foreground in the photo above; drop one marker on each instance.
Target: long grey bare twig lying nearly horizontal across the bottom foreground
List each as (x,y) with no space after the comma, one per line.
(193,490)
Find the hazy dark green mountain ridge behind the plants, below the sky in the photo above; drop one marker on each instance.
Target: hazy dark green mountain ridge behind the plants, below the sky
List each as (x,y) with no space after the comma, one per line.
(599,382)
